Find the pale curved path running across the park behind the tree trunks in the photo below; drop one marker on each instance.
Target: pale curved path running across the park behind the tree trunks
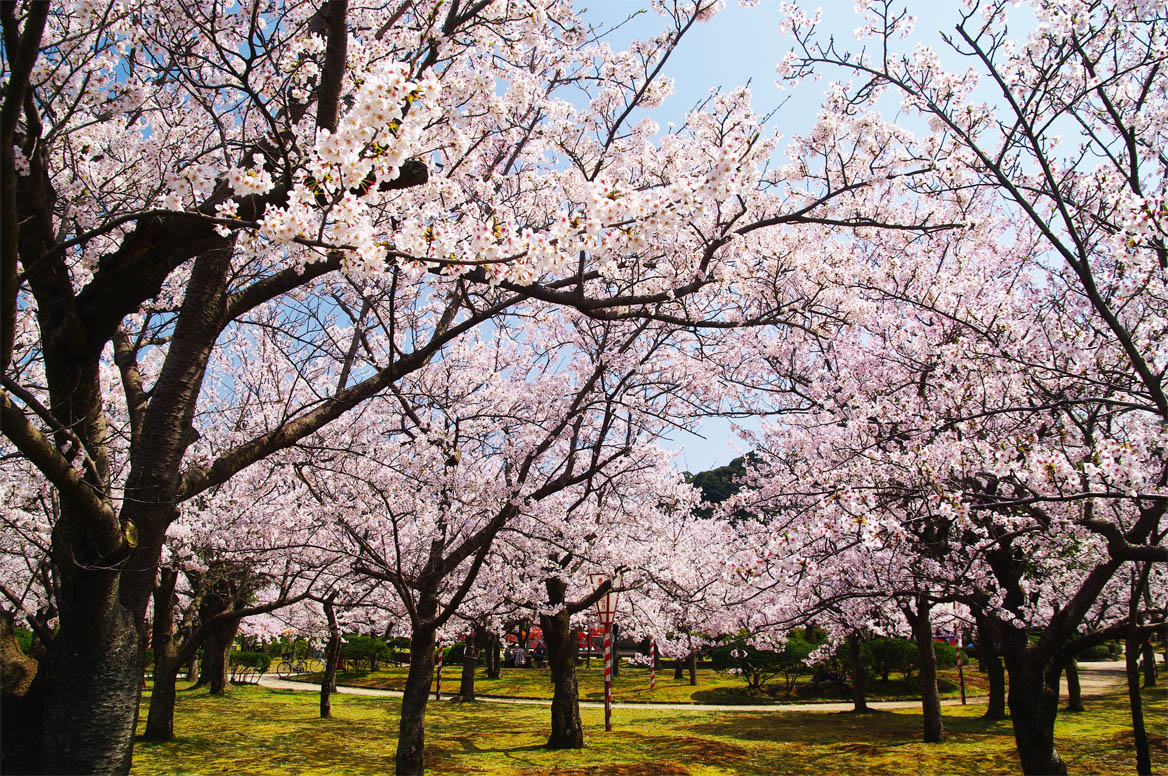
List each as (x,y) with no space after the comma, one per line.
(1095,678)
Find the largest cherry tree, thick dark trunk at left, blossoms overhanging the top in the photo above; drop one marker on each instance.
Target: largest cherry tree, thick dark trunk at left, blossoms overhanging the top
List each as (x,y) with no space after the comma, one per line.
(179,178)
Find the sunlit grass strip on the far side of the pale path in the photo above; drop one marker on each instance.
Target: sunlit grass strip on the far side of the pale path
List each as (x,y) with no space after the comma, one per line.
(632,685)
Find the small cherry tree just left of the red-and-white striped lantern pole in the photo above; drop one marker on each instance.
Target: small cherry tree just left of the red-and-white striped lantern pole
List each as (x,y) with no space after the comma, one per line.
(632,530)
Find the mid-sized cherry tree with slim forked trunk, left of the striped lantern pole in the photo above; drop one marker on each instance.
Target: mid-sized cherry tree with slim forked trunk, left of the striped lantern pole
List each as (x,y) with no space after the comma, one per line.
(505,432)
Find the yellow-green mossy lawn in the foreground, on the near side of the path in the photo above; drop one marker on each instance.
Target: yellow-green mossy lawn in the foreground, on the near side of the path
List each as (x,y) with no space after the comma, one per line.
(259,731)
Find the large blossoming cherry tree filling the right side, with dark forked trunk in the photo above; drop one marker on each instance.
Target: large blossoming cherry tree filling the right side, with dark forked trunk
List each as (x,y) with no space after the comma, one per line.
(1000,399)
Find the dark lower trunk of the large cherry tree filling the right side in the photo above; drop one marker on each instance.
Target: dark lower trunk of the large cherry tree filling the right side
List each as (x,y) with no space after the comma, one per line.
(1034,704)
